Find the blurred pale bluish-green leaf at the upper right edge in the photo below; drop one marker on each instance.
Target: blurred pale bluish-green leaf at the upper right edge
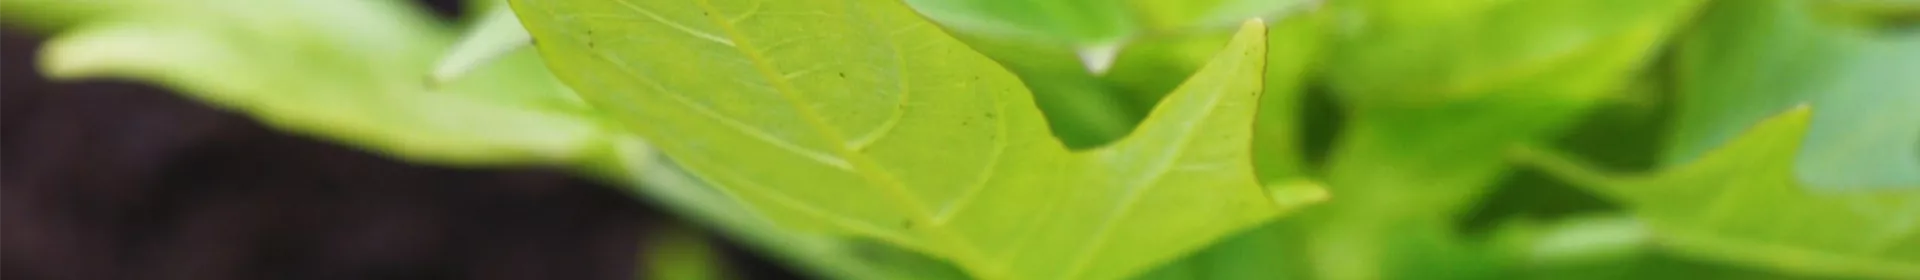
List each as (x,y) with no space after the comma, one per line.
(1760,57)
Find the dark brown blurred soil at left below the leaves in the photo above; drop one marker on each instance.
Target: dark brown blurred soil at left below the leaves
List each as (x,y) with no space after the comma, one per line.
(107,181)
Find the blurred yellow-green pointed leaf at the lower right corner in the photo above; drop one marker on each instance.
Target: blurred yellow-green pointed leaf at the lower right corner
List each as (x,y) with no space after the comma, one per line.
(1740,204)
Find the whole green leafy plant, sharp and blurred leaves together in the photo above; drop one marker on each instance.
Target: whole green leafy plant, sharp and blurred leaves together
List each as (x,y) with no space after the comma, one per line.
(1122,139)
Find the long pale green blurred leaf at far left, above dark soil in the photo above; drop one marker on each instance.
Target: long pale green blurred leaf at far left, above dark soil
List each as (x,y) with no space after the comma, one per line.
(347,70)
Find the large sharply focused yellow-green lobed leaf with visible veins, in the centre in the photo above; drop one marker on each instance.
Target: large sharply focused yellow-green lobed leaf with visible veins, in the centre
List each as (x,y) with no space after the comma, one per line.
(859,118)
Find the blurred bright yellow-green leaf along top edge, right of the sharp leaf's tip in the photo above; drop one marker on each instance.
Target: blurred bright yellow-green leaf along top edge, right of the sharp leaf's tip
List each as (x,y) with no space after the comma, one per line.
(1428,53)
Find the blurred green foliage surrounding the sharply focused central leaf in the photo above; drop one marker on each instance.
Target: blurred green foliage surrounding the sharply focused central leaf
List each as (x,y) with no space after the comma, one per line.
(1460,139)
